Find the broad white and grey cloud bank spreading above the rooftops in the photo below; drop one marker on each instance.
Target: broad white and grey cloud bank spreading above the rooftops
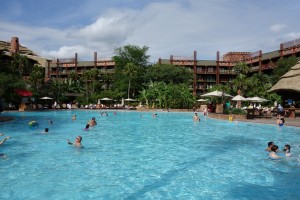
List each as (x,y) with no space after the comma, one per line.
(168,28)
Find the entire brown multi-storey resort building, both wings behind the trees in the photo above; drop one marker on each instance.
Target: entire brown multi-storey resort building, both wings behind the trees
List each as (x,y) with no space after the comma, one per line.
(207,73)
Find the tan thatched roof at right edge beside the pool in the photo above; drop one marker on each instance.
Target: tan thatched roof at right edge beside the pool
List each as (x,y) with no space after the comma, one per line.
(289,82)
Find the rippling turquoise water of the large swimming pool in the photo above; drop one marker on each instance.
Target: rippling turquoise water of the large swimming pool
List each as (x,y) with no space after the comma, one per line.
(132,155)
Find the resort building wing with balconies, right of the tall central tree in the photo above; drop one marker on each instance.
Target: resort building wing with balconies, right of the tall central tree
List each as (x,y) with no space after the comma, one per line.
(208,73)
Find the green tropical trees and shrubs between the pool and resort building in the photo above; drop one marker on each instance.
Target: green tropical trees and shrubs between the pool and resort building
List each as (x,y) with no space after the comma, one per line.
(154,85)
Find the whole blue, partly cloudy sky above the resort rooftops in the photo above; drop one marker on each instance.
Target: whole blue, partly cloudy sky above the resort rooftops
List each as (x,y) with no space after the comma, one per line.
(61,28)
